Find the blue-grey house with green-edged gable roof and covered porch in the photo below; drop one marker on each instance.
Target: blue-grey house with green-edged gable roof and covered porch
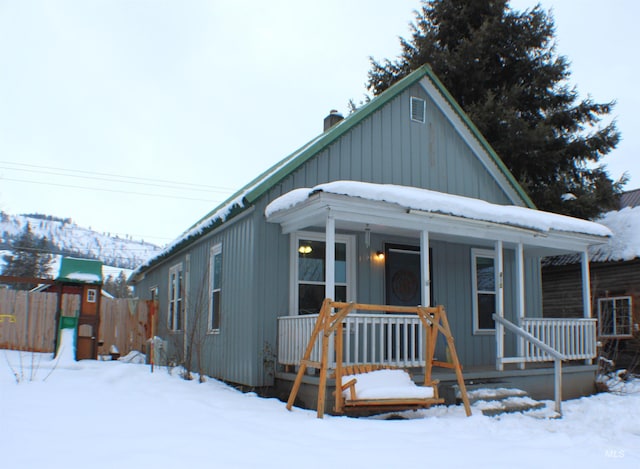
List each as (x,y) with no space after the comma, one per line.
(402,202)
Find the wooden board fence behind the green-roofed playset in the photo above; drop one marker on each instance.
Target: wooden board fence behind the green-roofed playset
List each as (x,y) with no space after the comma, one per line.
(27,321)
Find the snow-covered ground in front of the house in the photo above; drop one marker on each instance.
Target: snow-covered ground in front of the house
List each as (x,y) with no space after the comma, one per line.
(113,414)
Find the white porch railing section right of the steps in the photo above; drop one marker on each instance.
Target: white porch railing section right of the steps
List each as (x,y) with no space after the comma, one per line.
(574,338)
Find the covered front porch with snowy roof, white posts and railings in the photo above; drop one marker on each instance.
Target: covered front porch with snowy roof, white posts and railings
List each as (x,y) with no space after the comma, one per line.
(480,260)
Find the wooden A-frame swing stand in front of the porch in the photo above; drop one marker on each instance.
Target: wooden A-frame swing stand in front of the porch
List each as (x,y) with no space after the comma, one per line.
(329,322)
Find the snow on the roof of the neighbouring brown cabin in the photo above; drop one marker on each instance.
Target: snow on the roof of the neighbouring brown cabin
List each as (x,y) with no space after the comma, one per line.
(624,245)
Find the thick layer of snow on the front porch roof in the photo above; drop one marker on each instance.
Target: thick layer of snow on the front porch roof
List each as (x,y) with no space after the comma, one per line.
(448,204)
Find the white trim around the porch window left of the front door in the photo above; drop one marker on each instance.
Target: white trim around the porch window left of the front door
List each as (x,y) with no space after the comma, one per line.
(350,243)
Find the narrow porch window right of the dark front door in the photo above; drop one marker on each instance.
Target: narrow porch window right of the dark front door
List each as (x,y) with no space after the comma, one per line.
(484,290)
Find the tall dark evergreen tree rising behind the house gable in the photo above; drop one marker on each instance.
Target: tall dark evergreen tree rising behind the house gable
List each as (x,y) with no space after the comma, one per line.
(501,67)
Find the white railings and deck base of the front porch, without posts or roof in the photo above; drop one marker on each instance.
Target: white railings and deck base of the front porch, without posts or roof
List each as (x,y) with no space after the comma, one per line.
(397,341)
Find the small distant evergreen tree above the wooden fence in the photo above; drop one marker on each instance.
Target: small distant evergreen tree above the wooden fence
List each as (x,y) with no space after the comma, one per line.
(29,257)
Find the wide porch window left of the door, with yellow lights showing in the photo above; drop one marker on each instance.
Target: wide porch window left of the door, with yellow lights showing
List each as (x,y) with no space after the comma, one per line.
(309,271)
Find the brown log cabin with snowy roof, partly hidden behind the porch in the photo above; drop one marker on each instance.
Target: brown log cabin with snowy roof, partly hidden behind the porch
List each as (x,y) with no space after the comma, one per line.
(615,283)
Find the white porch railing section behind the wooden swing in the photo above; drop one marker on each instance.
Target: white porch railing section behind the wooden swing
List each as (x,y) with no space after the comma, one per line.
(389,339)
